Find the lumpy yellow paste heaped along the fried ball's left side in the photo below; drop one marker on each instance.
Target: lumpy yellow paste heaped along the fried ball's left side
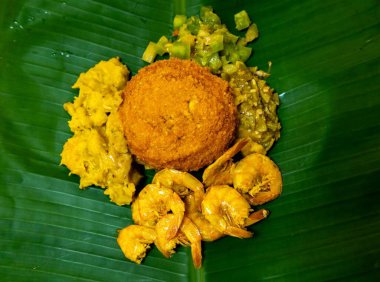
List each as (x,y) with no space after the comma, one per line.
(98,151)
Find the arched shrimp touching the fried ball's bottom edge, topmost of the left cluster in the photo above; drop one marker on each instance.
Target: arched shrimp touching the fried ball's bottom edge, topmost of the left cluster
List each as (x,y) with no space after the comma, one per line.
(181,182)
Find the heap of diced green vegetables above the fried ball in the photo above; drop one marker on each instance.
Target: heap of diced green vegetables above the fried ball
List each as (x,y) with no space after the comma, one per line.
(206,40)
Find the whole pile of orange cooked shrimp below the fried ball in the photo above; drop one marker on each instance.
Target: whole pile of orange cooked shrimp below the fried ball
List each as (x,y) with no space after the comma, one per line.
(177,208)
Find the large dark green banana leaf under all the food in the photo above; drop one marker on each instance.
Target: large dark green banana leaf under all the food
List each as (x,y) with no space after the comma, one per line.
(326,68)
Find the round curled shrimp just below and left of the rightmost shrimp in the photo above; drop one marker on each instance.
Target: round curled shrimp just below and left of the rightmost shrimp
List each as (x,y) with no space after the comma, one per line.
(226,209)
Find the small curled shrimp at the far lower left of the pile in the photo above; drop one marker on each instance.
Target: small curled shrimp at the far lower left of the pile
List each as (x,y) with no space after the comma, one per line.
(135,240)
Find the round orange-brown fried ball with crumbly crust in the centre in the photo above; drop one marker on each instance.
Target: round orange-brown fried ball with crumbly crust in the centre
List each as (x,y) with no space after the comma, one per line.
(176,114)
